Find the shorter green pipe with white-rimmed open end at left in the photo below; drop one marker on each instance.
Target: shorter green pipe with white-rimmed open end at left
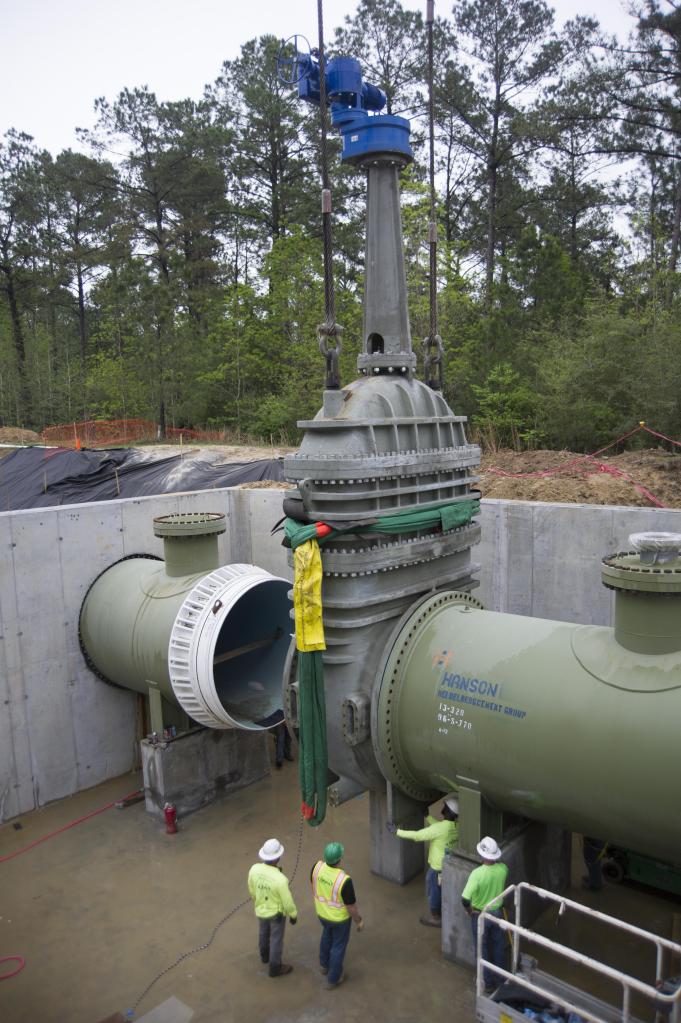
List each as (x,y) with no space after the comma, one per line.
(213,640)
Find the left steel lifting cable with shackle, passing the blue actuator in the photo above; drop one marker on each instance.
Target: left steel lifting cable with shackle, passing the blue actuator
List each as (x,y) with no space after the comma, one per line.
(330,330)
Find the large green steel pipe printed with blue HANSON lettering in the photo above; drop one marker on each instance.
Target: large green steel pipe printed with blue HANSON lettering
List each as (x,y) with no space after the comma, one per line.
(555,722)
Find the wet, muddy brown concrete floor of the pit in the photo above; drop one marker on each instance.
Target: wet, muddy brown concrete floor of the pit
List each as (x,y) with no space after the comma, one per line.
(102,909)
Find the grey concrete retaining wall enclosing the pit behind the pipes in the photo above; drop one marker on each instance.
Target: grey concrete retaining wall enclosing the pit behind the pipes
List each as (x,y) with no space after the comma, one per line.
(62,730)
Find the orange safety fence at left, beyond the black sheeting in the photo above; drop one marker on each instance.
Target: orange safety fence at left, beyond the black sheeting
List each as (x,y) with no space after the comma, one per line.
(110,433)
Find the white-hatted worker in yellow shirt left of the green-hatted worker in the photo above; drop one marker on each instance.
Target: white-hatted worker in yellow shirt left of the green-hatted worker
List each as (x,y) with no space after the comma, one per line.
(268,887)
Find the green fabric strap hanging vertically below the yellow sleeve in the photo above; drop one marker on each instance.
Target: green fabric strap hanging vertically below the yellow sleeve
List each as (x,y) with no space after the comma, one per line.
(312,764)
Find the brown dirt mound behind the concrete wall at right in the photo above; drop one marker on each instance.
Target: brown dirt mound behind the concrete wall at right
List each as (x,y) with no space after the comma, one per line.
(648,478)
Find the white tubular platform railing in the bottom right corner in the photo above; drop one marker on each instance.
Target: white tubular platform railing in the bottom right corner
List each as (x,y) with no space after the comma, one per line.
(666,1006)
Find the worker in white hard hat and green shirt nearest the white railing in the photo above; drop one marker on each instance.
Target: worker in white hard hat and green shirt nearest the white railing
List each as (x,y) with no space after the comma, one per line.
(483,892)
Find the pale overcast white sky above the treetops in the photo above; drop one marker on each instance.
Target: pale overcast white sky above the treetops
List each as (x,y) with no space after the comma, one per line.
(60,56)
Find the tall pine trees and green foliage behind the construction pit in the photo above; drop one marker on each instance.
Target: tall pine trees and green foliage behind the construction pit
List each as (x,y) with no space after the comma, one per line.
(183,280)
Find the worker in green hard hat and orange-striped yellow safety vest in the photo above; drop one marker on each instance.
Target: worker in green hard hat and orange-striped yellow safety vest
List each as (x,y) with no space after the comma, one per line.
(337,908)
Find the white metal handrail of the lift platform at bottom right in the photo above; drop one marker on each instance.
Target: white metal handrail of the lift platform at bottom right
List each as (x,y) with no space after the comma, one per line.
(628,983)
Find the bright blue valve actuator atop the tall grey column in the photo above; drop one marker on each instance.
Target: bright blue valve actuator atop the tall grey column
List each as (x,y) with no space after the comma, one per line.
(355,111)
